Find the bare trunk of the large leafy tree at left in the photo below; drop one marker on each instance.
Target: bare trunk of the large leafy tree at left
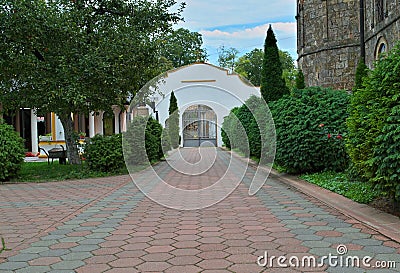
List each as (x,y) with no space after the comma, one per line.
(72,148)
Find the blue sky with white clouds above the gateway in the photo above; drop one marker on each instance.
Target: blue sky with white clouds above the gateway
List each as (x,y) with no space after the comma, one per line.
(241,24)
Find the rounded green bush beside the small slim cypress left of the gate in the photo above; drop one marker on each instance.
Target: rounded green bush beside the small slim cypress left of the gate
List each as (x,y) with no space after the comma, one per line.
(142,141)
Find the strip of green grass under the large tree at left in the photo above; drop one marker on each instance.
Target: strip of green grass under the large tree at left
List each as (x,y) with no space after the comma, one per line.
(43,172)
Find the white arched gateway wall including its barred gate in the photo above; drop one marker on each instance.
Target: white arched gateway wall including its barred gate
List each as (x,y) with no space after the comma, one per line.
(205,94)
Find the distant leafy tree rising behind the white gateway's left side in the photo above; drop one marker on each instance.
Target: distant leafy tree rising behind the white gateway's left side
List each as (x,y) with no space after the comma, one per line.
(183,47)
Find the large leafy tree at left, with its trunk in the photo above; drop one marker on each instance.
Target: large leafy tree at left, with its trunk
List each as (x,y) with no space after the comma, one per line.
(79,56)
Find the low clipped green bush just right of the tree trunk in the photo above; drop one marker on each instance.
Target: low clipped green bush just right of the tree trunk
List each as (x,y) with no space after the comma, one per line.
(104,153)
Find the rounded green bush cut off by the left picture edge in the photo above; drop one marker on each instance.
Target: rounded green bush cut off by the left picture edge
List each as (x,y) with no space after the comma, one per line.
(11,152)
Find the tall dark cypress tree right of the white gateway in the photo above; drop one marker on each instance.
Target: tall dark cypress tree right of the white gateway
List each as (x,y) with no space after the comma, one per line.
(273,86)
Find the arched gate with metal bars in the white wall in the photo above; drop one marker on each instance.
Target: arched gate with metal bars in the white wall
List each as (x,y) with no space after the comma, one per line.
(199,126)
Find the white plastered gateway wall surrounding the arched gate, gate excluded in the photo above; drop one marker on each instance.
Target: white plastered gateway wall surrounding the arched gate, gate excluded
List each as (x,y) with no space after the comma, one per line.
(202,84)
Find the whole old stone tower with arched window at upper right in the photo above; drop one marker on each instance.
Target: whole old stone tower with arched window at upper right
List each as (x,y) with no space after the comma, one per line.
(328,37)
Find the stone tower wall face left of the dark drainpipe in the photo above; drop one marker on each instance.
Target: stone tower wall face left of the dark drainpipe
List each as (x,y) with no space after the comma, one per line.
(328,42)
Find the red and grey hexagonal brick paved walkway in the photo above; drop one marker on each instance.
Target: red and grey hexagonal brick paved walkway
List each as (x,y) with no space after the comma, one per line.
(108,225)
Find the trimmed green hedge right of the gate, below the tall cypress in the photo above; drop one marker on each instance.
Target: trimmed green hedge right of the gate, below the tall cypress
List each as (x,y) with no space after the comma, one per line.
(310,129)
